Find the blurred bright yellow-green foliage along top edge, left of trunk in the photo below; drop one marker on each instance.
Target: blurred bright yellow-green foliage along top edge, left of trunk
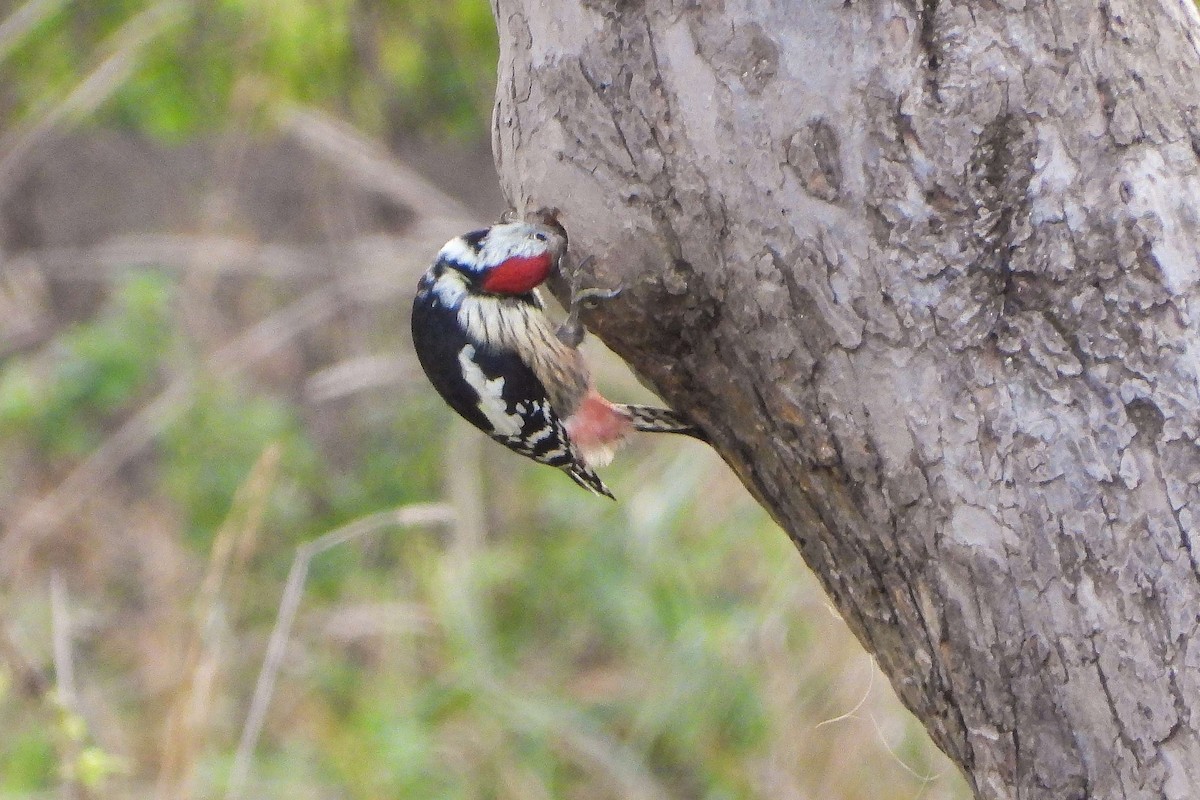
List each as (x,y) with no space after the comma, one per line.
(393,67)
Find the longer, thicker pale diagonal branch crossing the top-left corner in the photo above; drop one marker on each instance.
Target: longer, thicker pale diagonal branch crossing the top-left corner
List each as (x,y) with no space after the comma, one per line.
(97,87)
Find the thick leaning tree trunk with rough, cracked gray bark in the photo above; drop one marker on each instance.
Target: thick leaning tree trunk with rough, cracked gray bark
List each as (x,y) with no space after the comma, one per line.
(928,274)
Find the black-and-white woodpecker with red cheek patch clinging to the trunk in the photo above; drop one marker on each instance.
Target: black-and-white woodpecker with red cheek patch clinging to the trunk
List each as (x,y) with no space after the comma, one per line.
(485,342)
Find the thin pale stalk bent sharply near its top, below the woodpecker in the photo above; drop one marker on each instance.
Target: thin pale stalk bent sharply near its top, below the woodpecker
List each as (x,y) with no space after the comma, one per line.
(293,591)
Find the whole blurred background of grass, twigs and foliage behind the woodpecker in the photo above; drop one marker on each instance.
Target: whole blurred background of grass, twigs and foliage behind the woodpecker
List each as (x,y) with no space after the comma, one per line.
(205,376)
